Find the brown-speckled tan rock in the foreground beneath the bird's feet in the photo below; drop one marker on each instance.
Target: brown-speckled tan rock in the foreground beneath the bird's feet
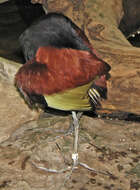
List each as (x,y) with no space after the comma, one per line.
(37,142)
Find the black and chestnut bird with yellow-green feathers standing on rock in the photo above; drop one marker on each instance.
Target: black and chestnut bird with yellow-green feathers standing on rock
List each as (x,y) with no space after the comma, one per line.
(62,69)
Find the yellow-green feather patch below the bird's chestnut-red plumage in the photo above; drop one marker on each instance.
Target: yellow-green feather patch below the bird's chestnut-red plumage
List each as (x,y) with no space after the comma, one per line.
(73,99)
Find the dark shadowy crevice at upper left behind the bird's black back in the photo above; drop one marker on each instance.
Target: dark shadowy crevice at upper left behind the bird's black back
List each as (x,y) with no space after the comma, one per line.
(15,17)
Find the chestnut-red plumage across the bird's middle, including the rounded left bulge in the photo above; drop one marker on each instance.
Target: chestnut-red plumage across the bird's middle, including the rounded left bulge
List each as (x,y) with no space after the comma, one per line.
(57,70)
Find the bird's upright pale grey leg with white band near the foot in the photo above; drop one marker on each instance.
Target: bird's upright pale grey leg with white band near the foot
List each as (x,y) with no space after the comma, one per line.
(76,134)
